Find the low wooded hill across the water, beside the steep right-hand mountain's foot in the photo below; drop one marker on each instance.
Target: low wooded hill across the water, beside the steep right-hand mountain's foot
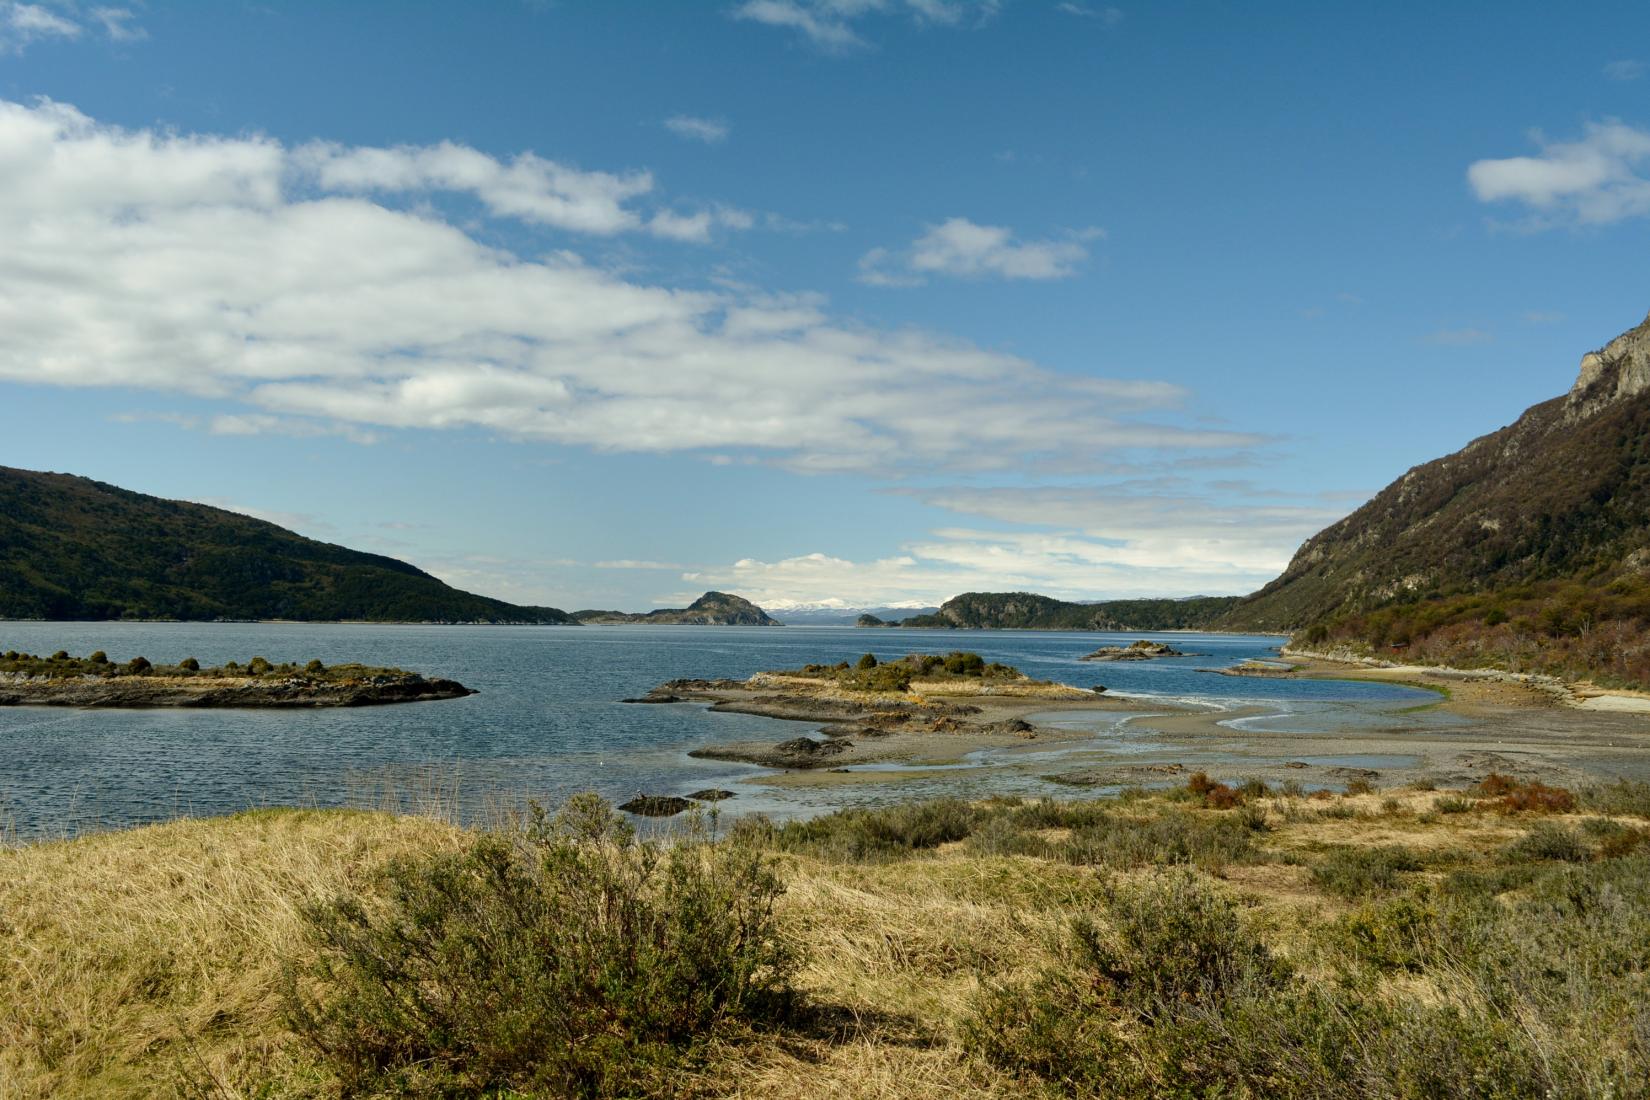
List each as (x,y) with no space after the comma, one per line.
(1027,611)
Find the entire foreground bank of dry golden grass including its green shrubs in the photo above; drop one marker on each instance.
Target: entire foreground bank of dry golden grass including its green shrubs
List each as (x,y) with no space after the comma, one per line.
(1199,943)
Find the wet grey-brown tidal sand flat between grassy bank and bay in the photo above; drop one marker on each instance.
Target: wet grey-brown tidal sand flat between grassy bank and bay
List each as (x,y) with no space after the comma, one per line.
(1478,726)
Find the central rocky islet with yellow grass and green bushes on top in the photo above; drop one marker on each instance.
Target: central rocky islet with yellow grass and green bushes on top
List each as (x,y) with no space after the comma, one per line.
(880,712)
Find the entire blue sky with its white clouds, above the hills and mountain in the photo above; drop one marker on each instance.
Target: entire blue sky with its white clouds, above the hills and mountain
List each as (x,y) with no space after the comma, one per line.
(606,304)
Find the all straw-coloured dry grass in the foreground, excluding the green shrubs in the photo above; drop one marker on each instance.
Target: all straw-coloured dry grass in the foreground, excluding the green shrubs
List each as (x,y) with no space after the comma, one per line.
(148,962)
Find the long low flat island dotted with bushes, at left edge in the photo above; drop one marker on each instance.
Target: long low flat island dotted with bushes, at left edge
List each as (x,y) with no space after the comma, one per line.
(97,682)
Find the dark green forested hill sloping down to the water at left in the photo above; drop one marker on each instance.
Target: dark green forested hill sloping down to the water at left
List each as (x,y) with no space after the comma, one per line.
(73,548)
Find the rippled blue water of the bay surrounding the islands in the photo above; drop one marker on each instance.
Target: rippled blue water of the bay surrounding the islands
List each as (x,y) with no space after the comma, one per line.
(549,720)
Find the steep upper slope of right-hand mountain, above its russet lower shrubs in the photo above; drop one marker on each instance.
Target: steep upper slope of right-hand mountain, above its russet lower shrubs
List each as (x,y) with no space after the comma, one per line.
(1562,496)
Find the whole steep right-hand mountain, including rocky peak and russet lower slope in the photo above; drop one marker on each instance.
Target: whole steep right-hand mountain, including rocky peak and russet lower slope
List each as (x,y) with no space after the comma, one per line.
(1529,548)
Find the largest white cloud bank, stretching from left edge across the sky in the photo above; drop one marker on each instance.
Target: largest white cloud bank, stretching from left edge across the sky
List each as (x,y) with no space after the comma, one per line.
(270,278)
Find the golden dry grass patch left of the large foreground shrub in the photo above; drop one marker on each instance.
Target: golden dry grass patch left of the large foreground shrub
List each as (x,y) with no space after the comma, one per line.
(146,962)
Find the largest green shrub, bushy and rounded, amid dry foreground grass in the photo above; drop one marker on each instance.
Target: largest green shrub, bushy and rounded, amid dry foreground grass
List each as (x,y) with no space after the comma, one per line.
(560,961)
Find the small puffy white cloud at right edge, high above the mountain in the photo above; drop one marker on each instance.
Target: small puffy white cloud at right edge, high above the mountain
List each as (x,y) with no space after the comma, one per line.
(1596,181)
